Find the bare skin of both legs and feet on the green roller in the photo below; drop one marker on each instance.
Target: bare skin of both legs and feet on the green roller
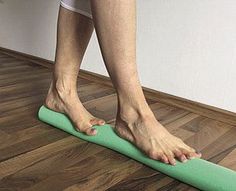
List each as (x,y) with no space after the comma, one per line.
(135,121)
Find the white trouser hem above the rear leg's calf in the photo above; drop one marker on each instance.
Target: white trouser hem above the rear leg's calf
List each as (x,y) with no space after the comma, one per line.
(79,6)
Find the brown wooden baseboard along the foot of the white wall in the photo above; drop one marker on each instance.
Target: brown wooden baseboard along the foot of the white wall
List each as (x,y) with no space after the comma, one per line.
(192,106)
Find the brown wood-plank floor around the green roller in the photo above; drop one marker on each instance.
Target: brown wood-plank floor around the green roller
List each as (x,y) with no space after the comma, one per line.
(36,156)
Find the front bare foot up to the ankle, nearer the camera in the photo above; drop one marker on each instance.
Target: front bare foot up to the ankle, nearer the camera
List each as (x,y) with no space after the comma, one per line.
(140,127)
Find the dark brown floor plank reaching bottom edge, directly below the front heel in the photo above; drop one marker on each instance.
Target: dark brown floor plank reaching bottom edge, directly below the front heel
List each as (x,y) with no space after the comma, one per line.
(107,163)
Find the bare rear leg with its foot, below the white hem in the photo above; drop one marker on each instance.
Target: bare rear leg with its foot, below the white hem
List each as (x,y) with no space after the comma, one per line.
(73,34)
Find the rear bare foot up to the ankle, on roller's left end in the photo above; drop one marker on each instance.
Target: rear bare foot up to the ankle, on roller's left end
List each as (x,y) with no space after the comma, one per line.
(67,102)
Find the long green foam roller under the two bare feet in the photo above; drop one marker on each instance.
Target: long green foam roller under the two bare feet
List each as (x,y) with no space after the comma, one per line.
(199,173)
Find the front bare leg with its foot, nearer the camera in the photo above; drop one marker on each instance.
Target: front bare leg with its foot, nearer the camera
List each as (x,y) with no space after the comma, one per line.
(116,30)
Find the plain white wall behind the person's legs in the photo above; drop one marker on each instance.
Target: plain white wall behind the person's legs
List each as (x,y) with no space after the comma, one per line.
(185,48)
